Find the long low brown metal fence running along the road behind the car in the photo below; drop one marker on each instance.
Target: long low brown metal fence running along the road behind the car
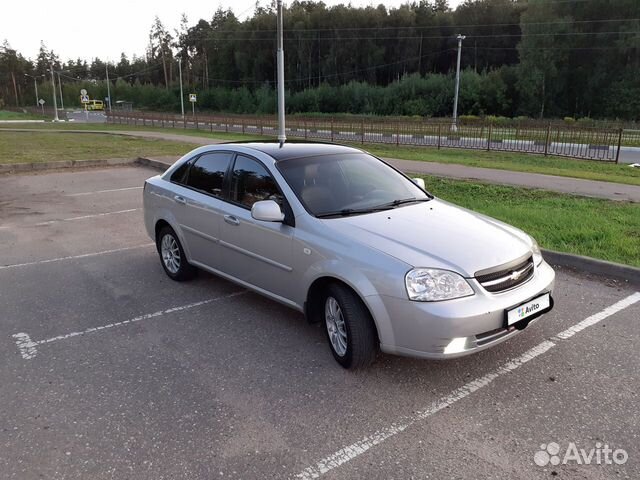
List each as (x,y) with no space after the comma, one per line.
(604,144)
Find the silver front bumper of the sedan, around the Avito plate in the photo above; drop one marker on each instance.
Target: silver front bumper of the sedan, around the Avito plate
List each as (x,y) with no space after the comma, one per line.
(454,328)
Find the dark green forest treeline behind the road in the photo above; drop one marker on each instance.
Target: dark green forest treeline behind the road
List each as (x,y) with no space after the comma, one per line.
(535,58)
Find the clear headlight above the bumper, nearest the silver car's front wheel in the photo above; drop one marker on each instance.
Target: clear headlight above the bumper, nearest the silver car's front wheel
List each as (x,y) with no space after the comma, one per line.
(432,285)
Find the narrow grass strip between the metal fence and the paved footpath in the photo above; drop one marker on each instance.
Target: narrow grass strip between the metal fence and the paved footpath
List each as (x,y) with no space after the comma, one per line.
(519,162)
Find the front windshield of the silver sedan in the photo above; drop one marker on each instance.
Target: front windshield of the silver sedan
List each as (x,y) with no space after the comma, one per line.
(348,184)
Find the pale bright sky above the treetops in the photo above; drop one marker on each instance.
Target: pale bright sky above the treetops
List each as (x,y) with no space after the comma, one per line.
(87,29)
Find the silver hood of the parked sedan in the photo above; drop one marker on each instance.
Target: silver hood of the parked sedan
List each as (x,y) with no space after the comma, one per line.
(437,234)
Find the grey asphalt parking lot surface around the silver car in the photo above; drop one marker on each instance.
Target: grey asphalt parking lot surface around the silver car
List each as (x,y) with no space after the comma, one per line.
(109,370)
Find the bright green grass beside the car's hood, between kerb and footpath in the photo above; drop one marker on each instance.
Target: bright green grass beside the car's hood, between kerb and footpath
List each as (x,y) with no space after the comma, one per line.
(595,228)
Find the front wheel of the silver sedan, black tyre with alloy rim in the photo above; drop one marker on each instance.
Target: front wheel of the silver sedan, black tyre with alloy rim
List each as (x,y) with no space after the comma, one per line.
(349,328)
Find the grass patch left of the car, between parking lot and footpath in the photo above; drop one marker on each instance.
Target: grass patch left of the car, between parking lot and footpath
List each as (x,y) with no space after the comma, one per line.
(28,147)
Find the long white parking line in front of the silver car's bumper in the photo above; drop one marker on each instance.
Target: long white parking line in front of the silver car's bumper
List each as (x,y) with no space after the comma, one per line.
(356,449)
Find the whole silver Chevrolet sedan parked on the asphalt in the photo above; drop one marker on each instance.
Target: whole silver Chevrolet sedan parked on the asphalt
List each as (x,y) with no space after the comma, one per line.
(351,242)
